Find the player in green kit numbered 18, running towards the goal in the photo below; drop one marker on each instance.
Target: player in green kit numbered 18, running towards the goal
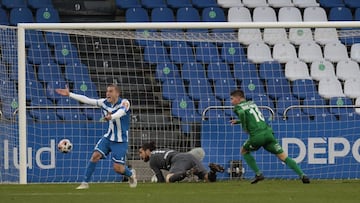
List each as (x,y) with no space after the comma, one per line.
(260,135)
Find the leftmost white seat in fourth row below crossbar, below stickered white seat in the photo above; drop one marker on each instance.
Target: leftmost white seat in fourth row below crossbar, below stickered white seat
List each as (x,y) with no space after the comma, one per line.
(330,87)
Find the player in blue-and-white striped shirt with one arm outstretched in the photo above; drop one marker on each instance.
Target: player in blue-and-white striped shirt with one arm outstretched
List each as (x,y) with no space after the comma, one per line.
(116,112)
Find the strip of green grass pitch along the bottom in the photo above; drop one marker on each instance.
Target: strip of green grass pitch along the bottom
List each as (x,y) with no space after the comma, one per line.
(267,191)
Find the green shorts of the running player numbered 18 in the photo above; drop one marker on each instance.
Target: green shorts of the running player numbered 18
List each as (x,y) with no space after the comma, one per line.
(264,139)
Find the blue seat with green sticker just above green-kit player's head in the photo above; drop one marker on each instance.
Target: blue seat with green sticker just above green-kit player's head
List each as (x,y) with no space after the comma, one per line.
(252,87)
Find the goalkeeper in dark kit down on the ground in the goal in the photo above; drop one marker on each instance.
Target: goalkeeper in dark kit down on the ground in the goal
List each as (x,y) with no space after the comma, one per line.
(179,164)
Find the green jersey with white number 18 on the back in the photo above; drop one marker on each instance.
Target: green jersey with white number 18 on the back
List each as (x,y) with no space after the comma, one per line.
(251,118)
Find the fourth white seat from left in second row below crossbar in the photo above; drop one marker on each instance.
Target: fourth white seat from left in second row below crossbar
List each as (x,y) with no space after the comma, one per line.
(335,52)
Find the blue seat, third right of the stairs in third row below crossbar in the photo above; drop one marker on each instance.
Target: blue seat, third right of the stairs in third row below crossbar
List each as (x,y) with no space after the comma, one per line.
(218,71)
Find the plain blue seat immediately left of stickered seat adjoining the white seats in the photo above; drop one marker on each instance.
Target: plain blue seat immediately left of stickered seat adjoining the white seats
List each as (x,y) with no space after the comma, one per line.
(207,52)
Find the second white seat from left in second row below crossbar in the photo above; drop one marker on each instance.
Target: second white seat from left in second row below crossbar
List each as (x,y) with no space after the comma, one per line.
(284,52)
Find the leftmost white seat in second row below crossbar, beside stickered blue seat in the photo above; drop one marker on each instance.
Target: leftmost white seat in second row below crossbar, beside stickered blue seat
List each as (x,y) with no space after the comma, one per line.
(259,52)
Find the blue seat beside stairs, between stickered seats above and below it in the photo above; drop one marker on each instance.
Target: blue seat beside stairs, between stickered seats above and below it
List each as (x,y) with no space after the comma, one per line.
(173,88)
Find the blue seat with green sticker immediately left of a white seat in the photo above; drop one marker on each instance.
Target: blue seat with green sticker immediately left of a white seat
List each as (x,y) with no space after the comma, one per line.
(233,53)
